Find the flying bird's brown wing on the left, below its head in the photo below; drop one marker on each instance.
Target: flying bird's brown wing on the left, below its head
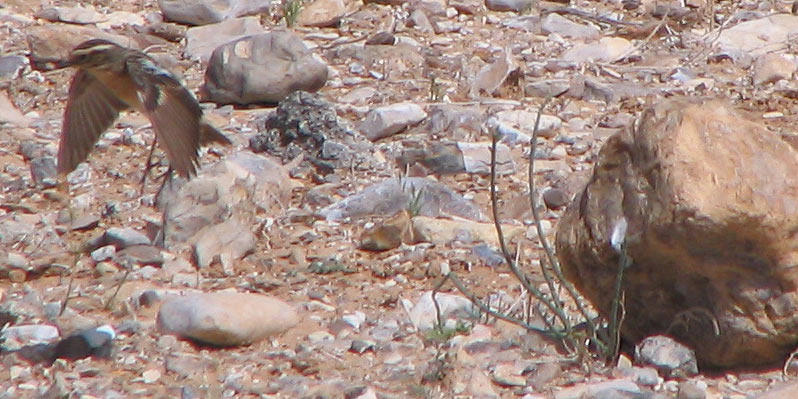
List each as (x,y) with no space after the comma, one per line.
(91,109)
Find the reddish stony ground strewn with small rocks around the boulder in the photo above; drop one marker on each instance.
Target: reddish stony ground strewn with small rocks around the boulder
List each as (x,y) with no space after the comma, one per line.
(363,332)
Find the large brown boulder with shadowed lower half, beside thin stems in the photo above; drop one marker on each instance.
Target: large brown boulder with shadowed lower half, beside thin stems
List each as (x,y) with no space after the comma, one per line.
(710,200)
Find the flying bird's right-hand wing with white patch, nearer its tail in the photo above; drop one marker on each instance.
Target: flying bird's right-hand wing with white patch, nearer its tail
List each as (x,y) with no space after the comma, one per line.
(173,111)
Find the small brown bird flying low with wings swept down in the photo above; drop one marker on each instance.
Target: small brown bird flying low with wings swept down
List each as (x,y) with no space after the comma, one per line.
(110,79)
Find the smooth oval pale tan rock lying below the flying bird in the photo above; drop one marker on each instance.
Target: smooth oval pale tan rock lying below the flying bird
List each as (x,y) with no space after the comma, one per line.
(226,318)
